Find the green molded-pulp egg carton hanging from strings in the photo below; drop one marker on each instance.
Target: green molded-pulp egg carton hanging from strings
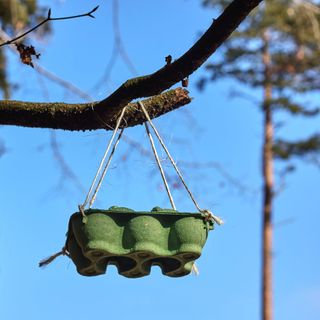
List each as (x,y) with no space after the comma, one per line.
(134,241)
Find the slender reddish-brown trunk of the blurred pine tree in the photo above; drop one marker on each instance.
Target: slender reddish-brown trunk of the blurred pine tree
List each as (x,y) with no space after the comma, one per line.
(267,164)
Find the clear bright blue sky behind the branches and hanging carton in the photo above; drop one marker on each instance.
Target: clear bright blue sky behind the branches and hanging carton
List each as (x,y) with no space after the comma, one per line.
(36,201)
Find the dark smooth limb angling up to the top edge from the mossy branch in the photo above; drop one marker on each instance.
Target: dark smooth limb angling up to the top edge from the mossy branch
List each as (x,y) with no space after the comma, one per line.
(181,68)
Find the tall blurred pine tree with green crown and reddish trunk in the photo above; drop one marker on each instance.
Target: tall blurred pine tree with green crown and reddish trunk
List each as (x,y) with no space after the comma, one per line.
(277,51)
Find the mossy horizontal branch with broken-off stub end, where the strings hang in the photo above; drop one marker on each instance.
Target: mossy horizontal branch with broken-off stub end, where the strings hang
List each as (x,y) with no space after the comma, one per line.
(86,116)
